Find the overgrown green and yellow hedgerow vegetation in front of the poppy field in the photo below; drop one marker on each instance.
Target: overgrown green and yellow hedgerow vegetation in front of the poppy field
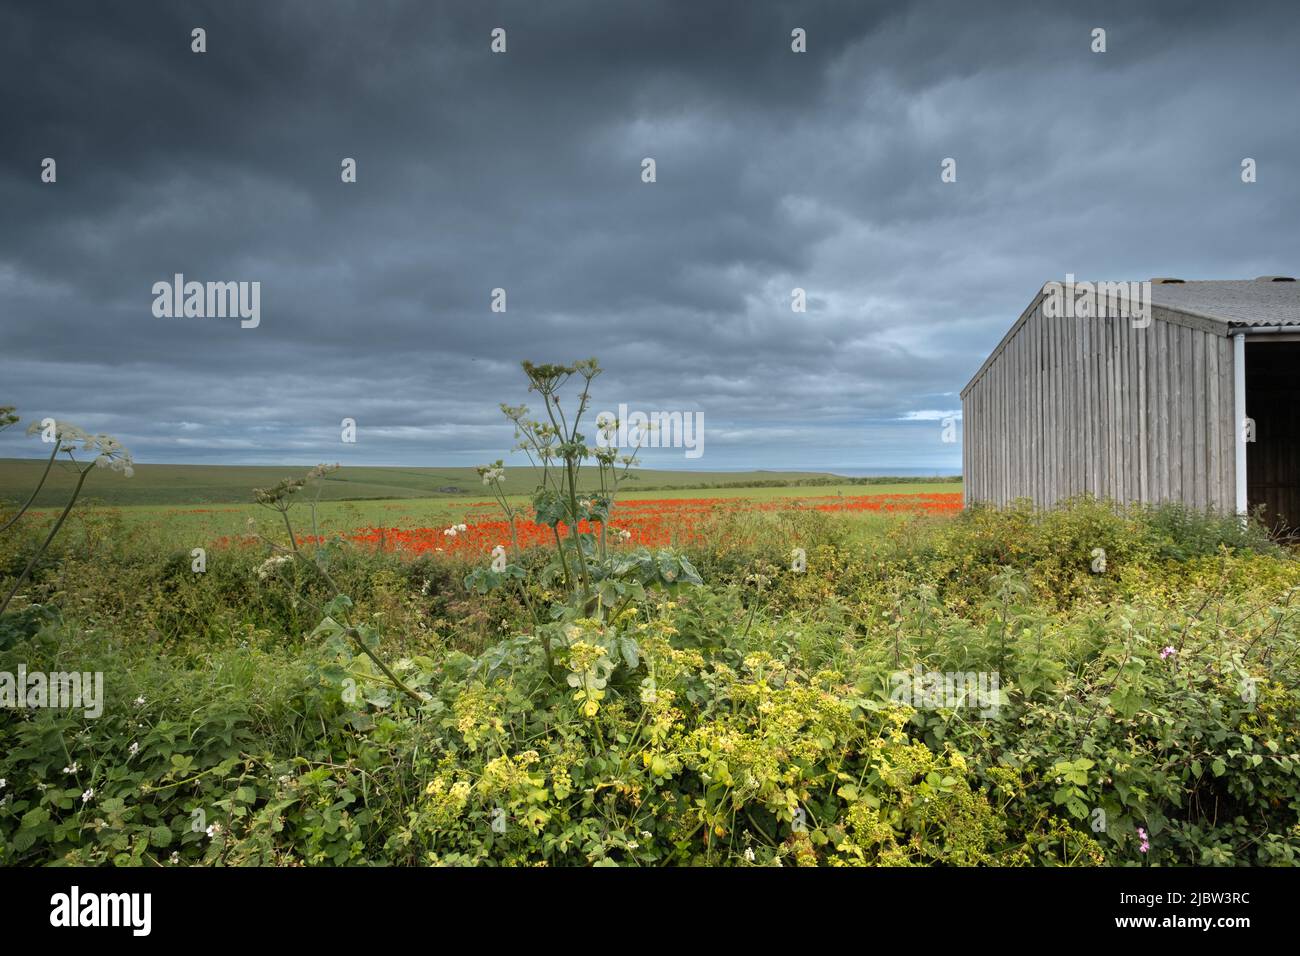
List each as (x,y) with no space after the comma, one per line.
(1081,686)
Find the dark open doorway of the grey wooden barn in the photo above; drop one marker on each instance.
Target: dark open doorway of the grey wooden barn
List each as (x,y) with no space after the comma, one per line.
(1273,460)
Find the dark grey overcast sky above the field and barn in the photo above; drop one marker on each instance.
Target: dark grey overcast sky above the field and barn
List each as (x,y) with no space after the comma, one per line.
(525,171)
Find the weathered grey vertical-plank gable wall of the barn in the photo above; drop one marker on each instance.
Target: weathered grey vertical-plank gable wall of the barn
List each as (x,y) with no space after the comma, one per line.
(1072,406)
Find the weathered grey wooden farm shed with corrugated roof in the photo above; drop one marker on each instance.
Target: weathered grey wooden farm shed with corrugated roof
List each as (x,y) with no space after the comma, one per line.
(1145,410)
